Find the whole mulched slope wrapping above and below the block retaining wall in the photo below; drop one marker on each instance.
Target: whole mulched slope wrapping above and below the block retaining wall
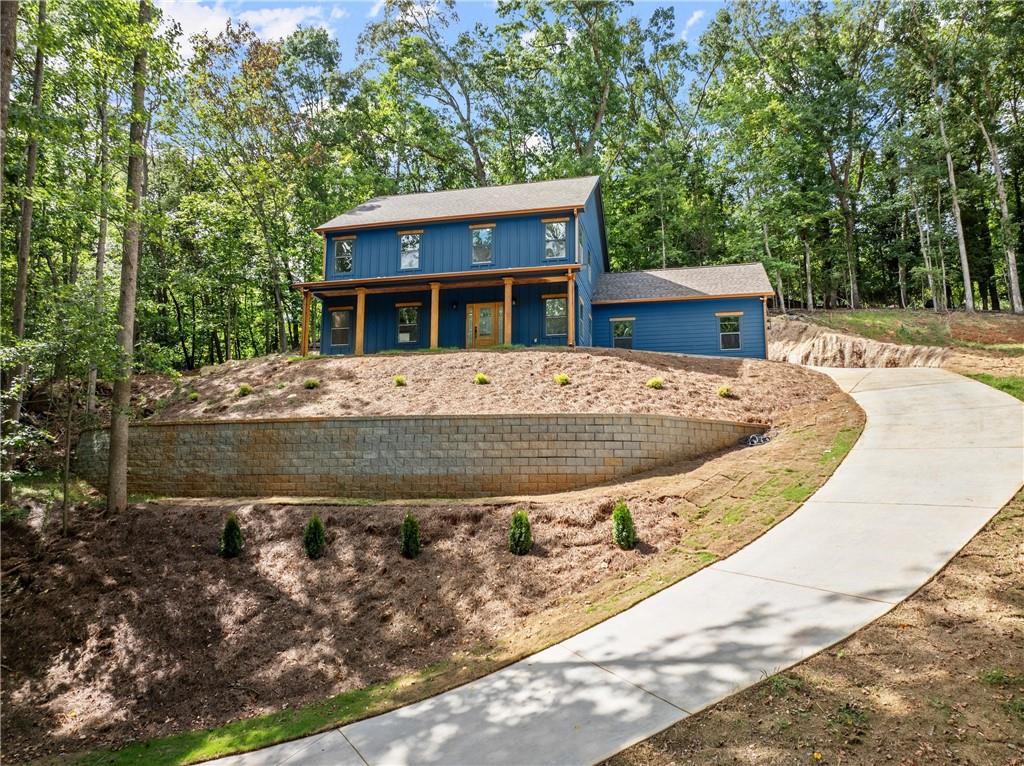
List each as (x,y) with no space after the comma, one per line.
(113,634)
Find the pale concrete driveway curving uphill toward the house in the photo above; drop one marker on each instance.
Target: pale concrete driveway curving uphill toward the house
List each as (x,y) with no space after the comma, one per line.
(940,456)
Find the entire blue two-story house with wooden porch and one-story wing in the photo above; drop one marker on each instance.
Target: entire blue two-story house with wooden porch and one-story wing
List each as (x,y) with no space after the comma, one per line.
(524,265)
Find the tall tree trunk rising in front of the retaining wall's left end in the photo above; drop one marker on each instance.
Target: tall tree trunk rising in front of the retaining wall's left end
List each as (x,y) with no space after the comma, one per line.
(117,483)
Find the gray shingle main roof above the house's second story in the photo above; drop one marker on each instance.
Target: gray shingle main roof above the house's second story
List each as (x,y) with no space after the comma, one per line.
(466,203)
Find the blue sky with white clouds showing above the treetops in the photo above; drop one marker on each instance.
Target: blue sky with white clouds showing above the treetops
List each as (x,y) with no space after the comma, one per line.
(276,19)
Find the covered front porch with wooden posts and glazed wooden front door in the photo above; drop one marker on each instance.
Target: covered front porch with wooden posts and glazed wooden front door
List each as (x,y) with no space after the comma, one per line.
(524,307)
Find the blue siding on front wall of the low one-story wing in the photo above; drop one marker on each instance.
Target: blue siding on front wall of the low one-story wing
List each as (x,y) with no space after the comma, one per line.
(686,326)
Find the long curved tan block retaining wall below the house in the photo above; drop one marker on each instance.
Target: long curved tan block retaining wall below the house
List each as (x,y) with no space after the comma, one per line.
(409,457)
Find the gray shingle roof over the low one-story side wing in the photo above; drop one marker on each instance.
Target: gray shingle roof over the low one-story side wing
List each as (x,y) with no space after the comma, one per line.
(699,282)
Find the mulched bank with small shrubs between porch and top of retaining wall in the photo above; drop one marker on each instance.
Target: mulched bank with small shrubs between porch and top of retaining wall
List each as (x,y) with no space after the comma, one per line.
(522,381)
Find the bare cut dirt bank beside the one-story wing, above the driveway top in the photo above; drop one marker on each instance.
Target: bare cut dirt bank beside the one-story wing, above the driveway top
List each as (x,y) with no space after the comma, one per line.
(800,343)
